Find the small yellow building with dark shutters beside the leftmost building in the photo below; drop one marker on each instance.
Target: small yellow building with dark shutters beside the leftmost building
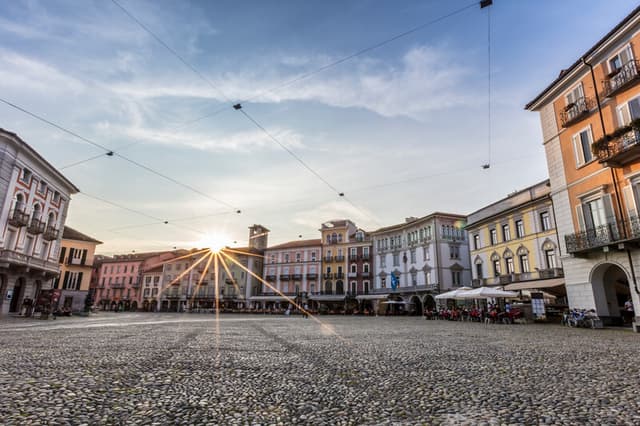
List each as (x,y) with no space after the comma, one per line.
(76,263)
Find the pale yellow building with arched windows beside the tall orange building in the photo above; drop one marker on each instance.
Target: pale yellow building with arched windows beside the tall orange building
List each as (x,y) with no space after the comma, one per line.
(514,243)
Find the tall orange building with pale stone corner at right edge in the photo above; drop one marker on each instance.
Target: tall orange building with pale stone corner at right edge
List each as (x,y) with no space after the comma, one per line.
(590,118)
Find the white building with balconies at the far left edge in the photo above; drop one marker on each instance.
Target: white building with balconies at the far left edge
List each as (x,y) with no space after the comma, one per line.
(35,198)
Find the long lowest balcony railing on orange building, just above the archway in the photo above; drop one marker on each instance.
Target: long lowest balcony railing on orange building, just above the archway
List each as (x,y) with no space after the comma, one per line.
(604,235)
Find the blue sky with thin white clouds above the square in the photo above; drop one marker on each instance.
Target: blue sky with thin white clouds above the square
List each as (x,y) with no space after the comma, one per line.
(401,130)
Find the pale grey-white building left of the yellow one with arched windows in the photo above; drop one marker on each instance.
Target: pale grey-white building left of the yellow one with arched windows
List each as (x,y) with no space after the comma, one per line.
(425,255)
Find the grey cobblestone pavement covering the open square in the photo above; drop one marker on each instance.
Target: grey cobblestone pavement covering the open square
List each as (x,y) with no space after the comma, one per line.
(183,369)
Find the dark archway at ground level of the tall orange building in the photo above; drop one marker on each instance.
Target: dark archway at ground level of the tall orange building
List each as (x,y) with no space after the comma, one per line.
(610,285)
